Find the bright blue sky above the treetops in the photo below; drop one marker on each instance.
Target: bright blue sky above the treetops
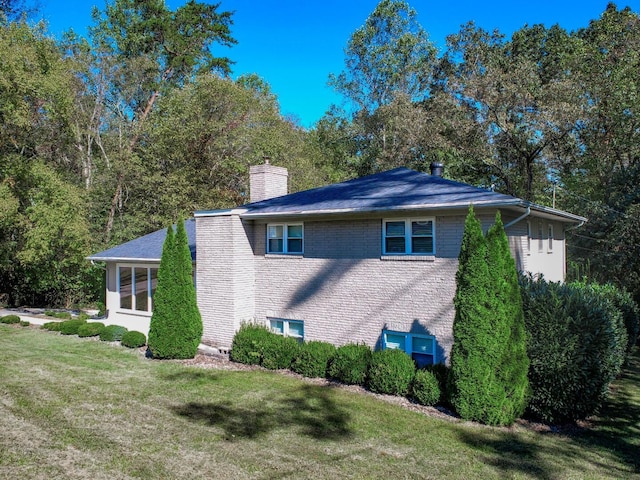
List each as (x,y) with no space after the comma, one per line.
(295,44)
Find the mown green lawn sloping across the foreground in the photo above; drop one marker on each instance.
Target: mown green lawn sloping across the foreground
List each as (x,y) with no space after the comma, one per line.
(72,408)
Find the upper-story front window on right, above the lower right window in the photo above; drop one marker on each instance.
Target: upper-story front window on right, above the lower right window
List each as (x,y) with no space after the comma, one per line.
(408,237)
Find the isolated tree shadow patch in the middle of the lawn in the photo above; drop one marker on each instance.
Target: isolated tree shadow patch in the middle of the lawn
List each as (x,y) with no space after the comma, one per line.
(310,408)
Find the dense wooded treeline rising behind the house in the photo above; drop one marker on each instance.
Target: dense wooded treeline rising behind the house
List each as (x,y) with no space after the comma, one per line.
(109,137)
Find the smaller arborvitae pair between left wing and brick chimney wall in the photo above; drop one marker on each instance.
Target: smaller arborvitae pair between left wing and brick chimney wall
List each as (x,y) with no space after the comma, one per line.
(176,324)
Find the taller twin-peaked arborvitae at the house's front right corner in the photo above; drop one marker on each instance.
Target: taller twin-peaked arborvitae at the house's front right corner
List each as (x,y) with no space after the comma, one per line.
(488,360)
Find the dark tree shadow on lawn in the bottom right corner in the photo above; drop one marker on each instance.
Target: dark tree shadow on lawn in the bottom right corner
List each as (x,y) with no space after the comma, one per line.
(616,436)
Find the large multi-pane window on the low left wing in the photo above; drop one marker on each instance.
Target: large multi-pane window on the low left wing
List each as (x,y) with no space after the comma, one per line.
(137,285)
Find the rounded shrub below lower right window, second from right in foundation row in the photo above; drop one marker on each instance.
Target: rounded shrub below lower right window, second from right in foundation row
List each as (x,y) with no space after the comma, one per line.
(390,372)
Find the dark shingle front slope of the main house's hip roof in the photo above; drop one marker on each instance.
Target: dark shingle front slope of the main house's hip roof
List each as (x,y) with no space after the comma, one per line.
(396,189)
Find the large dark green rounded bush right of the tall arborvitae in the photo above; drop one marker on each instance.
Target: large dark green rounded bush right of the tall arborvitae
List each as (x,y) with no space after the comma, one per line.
(576,345)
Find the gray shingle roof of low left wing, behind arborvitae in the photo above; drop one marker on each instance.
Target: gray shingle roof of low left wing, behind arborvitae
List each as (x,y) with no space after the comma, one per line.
(148,247)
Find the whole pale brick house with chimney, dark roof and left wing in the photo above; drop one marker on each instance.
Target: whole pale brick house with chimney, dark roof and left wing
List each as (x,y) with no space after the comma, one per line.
(370,260)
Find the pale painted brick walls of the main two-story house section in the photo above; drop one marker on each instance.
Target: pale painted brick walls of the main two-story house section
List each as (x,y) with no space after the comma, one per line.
(341,287)
